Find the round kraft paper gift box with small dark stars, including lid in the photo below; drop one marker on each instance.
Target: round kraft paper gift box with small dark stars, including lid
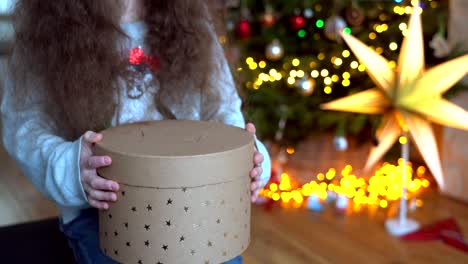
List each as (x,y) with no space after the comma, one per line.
(184,192)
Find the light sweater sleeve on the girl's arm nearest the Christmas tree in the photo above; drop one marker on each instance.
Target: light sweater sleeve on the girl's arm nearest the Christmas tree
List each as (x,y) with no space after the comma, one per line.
(231,106)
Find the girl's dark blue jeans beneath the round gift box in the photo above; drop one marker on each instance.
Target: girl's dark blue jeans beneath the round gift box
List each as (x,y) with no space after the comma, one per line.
(82,234)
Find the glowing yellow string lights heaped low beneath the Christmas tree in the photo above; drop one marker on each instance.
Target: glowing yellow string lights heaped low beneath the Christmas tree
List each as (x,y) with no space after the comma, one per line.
(379,190)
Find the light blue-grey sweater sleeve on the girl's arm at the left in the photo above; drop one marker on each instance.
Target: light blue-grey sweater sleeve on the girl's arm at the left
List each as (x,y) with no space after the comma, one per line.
(50,162)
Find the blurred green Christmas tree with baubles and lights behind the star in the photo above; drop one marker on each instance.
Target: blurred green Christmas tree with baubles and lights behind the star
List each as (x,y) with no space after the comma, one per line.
(290,59)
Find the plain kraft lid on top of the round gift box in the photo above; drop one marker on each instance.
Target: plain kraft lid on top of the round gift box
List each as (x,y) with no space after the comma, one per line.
(175,154)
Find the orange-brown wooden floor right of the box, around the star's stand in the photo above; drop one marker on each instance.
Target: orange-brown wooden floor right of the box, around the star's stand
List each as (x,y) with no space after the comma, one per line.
(296,236)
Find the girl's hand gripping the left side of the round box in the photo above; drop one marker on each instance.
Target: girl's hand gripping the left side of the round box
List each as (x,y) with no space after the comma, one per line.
(99,190)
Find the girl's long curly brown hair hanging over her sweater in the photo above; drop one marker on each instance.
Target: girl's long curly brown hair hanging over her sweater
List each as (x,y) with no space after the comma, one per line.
(66,51)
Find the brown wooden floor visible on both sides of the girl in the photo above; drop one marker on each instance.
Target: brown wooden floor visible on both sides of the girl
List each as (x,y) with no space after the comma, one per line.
(287,235)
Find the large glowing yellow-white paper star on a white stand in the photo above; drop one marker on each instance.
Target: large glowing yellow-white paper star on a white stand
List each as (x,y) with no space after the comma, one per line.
(409,97)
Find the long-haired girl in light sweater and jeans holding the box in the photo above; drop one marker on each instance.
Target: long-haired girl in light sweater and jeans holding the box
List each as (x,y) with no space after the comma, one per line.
(71,75)
